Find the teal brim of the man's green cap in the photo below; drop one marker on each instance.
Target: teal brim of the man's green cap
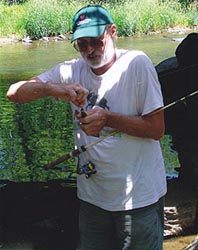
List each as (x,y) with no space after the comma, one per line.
(93,31)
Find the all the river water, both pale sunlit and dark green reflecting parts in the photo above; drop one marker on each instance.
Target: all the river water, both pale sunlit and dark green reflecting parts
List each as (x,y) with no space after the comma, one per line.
(34,134)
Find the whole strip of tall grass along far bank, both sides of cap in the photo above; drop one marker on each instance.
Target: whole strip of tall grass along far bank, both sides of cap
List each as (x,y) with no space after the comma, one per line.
(38,18)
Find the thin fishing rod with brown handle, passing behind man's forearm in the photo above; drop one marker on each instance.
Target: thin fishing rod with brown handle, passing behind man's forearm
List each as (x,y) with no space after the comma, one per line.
(83,148)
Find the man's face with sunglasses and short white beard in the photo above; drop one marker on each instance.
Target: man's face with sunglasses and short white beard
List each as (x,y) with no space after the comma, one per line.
(97,51)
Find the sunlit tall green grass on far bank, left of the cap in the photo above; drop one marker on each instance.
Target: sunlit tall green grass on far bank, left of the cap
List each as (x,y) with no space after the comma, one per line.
(37,18)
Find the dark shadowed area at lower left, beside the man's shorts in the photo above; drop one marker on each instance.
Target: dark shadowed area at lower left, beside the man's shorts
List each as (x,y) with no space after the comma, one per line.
(39,216)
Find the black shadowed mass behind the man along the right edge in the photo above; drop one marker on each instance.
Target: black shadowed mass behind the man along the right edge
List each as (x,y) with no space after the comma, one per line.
(179,81)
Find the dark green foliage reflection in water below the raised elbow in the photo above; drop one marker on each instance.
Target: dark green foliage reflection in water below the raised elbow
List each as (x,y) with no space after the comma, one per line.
(33,135)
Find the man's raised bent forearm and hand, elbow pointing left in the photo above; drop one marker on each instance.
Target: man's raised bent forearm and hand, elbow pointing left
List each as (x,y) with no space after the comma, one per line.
(33,89)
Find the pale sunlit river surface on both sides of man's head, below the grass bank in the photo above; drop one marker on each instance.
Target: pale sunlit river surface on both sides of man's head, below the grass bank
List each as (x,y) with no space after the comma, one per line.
(23,58)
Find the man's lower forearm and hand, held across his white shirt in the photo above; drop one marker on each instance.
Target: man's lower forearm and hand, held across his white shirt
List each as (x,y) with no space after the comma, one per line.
(148,126)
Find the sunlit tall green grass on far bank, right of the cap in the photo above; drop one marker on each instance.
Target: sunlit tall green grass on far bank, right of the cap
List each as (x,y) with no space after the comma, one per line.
(149,16)
